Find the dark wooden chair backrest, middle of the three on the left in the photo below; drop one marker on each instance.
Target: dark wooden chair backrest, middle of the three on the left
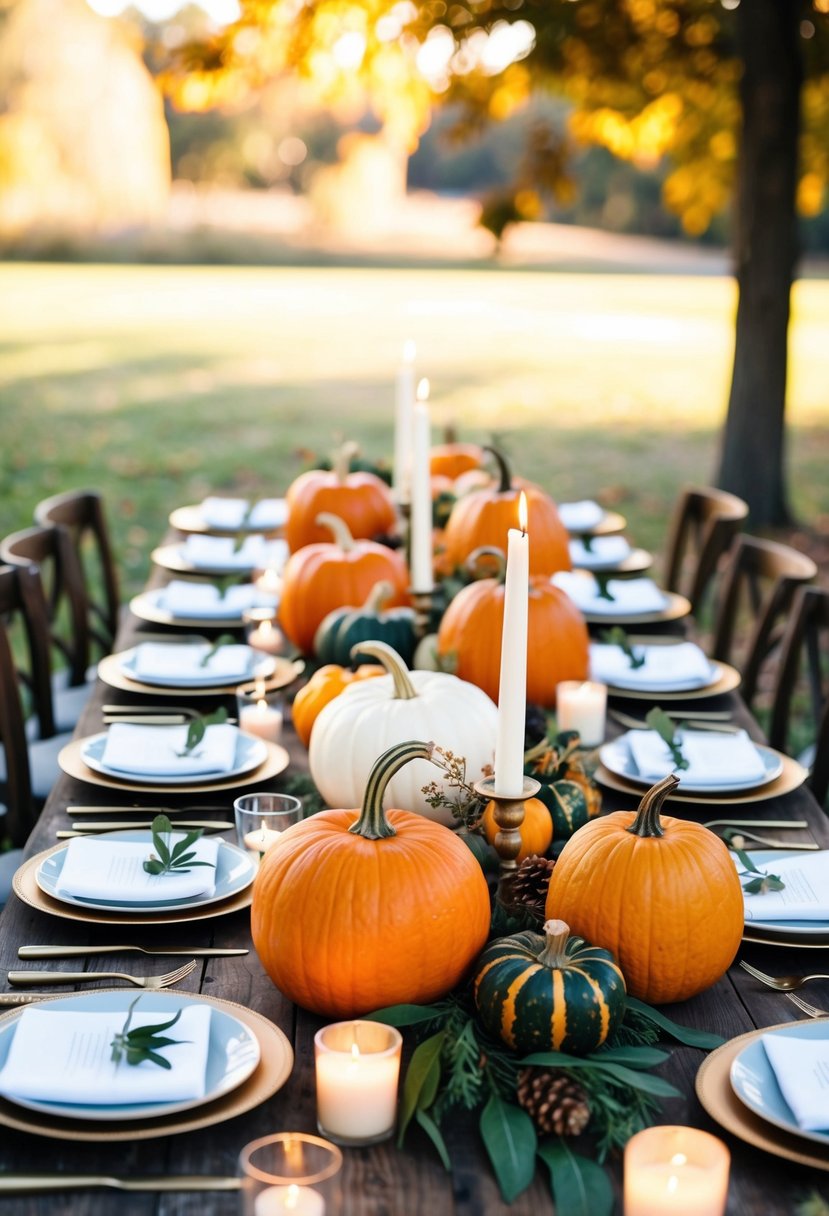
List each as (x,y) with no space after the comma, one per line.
(50,558)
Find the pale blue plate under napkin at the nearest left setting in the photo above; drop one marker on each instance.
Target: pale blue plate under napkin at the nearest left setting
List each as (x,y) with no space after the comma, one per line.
(233,1054)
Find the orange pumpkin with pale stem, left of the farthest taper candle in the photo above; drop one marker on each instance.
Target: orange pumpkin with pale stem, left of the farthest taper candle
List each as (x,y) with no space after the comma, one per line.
(363,500)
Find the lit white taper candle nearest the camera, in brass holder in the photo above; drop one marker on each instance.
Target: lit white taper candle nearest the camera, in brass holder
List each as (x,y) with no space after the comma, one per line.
(512,689)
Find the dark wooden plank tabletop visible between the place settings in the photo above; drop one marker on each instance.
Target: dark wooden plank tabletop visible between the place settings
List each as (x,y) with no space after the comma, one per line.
(380,1181)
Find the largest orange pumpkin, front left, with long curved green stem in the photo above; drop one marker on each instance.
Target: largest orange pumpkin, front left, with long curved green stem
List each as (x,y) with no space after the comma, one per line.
(357,910)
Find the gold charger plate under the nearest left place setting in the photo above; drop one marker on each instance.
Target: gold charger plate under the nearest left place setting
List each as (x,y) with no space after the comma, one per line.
(270,1076)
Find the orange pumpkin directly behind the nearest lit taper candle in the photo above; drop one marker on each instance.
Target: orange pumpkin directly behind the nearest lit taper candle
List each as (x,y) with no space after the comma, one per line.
(470,638)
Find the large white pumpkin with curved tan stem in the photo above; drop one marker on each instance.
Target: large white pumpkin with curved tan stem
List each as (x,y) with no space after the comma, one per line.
(374,716)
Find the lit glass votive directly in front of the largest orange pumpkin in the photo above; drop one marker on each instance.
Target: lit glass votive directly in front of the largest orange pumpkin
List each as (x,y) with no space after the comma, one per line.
(358,1067)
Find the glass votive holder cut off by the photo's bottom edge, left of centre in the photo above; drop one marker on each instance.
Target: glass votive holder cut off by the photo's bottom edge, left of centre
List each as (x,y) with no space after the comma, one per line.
(294,1174)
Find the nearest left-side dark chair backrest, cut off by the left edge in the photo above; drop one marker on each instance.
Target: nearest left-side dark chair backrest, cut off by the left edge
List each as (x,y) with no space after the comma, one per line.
(20,817)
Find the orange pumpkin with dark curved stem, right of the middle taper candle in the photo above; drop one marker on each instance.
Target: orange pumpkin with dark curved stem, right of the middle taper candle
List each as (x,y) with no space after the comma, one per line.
(484,517)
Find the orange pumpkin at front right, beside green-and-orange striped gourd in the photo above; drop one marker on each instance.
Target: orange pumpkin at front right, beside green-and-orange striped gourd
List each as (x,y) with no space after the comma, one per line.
(662,894)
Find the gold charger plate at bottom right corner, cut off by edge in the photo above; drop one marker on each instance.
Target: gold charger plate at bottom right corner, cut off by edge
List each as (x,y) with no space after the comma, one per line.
(715,1093)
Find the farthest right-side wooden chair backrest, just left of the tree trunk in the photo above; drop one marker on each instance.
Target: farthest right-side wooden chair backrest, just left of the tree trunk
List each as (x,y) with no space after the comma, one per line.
(703,526)
